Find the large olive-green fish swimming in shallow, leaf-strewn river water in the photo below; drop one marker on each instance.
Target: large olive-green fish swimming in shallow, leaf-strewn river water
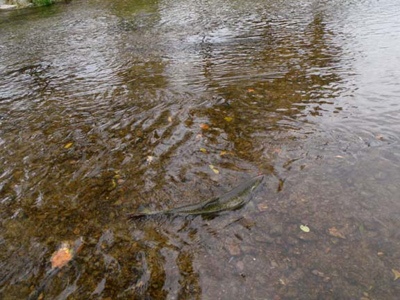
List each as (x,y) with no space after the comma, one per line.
(231,200)
